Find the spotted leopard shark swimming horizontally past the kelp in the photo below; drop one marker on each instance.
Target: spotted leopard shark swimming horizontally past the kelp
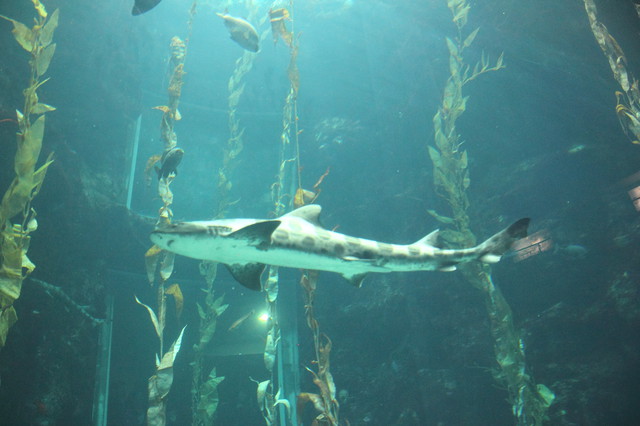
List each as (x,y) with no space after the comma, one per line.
(298,240)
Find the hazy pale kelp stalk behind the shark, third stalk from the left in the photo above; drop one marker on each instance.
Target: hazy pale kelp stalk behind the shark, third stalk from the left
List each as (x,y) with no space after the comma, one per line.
(204,390)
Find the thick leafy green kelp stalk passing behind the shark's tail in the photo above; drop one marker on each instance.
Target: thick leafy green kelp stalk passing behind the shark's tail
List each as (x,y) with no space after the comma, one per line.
(451,180)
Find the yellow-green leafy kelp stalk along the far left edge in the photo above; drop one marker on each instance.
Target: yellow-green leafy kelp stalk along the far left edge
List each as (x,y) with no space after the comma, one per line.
(15,266)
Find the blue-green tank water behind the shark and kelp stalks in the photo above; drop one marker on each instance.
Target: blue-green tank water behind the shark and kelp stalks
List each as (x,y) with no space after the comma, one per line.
(543,141)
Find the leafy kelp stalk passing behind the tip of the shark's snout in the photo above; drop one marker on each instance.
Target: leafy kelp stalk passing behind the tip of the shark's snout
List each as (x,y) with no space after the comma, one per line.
(159,263)
